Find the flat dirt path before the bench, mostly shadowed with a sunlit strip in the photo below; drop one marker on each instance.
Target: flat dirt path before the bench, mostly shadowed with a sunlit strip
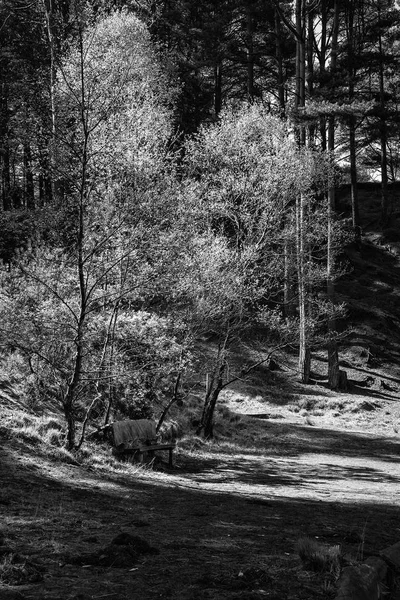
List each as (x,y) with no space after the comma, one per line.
(225,526)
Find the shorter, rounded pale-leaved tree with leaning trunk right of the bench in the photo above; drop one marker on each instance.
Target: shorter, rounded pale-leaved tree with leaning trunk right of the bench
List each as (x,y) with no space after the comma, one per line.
(244,175)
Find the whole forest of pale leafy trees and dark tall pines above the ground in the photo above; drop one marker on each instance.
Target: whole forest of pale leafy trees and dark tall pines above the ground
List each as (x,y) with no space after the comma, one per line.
(169,177)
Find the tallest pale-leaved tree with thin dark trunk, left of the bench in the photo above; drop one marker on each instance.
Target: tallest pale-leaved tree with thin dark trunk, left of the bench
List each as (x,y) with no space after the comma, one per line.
(112,126)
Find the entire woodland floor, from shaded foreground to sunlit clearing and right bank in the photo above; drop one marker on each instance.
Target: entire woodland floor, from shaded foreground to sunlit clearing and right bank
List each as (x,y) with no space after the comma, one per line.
(224,523)
